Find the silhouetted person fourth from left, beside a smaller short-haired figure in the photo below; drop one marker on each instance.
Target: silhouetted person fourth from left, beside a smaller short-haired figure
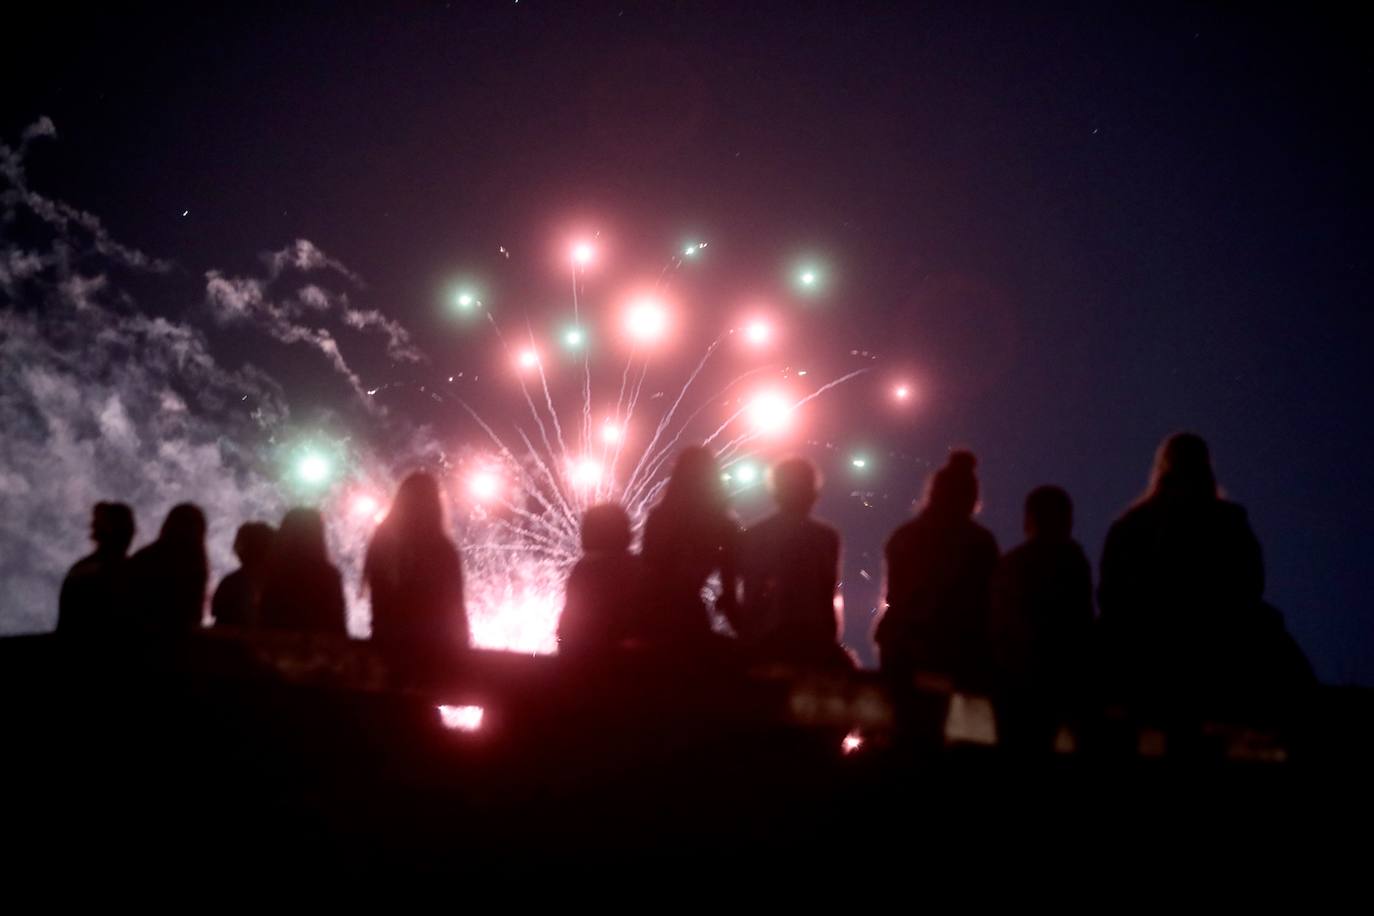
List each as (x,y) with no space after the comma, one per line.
(303,591)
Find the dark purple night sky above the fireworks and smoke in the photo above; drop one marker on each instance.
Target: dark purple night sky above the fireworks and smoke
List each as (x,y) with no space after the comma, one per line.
(1079,227)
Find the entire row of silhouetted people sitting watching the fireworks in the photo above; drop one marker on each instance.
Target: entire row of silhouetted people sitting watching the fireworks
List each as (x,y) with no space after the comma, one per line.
(1178,609)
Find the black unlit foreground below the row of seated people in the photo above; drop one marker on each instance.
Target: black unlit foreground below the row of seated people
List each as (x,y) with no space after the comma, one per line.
(293,759)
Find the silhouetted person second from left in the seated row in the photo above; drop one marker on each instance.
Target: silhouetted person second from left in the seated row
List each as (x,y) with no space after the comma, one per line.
(167,579)
